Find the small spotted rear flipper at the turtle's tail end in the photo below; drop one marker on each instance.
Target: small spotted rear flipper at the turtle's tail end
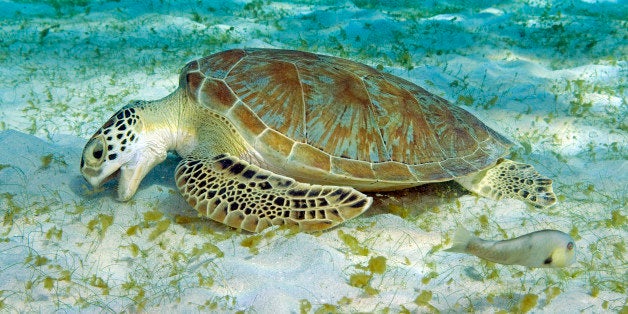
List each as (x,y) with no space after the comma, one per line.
(509,179)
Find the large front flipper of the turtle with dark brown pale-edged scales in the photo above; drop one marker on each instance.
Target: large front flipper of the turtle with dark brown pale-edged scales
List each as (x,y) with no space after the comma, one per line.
(241,195)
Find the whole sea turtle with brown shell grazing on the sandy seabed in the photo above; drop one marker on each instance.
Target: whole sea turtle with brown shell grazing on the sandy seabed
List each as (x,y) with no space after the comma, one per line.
(272,137)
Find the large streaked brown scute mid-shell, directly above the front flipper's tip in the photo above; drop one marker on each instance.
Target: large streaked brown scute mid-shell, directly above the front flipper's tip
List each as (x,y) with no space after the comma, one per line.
(340,119)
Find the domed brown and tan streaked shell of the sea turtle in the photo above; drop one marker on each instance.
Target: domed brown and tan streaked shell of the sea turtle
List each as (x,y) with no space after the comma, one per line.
(345,122)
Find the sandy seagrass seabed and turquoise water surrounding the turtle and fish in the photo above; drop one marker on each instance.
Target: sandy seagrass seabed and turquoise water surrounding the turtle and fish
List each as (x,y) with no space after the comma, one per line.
(549,75)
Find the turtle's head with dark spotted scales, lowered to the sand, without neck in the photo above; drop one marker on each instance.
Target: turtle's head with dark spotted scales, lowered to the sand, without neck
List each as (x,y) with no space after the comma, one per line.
(121,147)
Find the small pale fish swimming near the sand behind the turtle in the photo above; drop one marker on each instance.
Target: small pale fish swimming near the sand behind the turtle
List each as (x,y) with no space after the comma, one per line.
(545,248)
